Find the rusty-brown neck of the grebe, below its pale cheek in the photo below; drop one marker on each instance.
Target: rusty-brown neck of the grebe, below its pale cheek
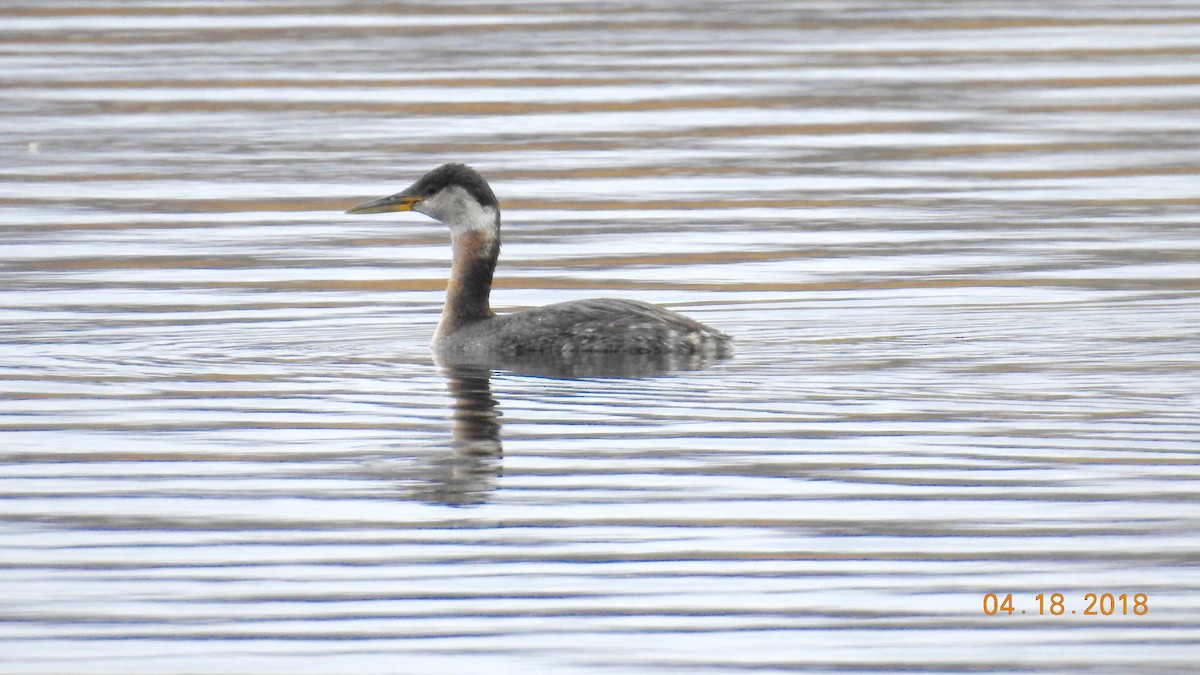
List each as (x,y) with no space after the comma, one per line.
(476,252)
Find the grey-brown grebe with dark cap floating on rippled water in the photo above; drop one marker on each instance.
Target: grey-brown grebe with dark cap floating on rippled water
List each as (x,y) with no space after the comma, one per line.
(458,196)
